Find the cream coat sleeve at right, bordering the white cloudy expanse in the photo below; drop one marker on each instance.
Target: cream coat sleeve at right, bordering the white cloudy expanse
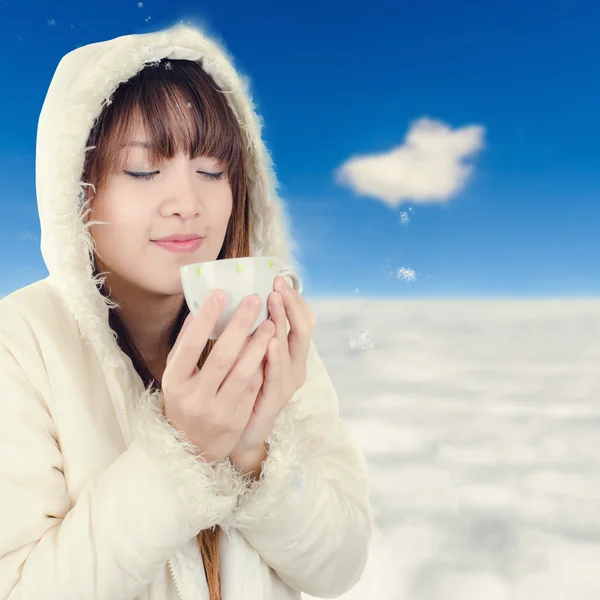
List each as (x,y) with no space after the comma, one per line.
(308,514)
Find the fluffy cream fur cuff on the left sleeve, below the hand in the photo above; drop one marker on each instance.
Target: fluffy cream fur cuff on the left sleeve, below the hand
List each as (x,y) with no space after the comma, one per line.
(208,493)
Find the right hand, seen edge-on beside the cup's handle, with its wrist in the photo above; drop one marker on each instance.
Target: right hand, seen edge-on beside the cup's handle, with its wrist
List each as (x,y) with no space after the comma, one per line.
(284,371)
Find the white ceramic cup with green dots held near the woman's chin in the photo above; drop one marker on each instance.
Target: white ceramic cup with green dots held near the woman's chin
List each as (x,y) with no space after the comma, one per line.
(239,277)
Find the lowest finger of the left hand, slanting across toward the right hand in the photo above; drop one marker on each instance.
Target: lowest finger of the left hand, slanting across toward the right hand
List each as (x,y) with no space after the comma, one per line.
(234,384)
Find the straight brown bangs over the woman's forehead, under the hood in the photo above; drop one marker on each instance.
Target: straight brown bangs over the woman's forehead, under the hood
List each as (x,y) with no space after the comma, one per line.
(181,110)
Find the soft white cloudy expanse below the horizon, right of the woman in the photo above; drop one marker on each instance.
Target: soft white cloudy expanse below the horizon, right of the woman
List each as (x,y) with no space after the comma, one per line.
(483,466)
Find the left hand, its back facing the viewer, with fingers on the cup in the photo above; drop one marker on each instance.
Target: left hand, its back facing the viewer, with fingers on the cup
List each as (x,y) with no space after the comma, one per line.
(212,405)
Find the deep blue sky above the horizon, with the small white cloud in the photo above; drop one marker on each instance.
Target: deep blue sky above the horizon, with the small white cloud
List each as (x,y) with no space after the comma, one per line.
(516,84)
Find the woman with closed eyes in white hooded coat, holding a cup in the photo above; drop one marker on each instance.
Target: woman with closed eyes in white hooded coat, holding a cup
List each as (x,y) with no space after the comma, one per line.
(118,469)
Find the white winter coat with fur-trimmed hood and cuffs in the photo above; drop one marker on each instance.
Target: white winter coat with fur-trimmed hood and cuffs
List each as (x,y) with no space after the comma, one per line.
(100,498)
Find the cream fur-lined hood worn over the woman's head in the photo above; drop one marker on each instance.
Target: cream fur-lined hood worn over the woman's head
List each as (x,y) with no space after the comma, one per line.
(83,83)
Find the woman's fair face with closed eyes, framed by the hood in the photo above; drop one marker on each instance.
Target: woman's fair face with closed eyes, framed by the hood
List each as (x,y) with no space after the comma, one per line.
(180,196)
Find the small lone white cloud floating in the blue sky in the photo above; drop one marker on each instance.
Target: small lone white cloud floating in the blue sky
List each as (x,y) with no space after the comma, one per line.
(430,167)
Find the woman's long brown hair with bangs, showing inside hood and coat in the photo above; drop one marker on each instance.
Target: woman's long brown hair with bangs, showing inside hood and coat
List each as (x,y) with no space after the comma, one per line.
(182,110)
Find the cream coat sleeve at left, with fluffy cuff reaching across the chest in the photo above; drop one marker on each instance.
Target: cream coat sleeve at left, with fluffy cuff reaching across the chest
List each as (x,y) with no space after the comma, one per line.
(127,522)
